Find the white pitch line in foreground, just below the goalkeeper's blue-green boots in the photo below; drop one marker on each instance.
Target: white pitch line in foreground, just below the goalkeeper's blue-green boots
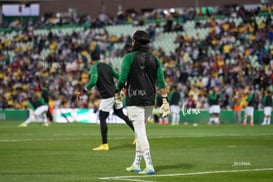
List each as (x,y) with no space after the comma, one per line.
(132,178)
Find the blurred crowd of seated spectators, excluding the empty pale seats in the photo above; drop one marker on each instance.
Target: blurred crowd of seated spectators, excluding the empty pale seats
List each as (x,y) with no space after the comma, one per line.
(235,56)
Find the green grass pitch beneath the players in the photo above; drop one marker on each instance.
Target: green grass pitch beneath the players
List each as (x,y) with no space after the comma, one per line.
(63,152)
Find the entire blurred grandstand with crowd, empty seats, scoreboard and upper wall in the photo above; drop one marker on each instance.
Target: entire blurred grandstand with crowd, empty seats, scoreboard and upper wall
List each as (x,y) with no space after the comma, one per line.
(203,44)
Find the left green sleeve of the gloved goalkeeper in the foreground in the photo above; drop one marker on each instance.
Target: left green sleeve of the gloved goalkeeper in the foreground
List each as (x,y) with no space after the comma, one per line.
(125,69)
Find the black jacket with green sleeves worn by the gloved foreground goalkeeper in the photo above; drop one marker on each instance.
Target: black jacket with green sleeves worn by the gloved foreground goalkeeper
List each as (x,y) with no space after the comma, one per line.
(142,71)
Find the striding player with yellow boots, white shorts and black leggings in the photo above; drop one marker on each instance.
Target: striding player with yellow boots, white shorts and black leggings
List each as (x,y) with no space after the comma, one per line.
(102,75)
